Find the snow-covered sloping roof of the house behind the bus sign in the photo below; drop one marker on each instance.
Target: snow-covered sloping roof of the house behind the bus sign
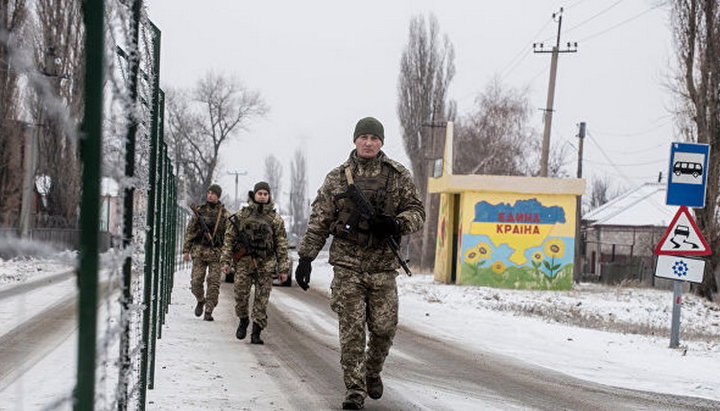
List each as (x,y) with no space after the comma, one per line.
(643,206)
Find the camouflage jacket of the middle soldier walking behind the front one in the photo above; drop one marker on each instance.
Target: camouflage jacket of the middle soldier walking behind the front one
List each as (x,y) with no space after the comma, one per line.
(278,259)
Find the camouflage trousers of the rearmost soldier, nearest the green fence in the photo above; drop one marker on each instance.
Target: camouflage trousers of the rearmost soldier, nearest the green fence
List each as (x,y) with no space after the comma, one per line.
(206,268)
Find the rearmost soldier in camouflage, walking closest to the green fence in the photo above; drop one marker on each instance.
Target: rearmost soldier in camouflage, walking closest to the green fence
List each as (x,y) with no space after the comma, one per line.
(205,250)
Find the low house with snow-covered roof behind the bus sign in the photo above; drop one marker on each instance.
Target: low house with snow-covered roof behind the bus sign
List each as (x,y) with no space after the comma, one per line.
(618,238)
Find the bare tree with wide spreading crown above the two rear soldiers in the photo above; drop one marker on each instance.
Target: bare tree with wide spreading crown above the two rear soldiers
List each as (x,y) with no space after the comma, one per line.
(202,120)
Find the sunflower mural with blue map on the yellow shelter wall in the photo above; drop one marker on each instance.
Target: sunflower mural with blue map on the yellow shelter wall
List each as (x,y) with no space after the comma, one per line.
(511,241)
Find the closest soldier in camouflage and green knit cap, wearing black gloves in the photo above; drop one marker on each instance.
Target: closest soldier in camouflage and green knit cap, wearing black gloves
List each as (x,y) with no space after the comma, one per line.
(363,288)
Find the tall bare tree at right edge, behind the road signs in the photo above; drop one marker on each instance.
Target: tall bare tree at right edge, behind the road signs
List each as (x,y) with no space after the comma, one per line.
(696,34)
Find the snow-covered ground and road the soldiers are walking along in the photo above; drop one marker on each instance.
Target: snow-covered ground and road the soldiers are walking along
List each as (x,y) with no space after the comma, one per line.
(454,350)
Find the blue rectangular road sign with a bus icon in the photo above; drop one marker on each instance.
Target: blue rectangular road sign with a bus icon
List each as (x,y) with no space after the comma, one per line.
(687,176)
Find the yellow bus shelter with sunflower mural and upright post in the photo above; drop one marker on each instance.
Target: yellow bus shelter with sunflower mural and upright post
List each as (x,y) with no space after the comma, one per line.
(504,231)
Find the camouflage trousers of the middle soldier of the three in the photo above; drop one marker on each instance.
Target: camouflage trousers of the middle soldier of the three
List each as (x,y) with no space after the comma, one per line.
(245,277)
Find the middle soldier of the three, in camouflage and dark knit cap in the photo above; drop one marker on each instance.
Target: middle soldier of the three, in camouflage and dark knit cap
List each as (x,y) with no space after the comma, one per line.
(260,231)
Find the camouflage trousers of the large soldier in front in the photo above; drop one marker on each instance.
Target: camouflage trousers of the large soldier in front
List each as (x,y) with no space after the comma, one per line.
(362,299)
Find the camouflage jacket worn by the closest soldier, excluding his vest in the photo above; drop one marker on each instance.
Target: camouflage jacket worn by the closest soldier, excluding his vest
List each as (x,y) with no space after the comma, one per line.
(404,199)
